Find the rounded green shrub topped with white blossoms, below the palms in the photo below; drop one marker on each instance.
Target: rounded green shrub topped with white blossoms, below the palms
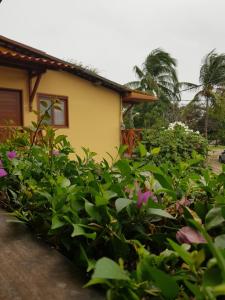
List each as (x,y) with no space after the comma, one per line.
(176,143)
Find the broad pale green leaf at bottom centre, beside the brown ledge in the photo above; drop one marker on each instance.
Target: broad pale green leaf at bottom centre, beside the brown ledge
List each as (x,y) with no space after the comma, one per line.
(106,268)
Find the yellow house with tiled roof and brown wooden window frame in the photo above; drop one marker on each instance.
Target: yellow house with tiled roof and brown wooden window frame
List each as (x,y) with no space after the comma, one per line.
(91,106)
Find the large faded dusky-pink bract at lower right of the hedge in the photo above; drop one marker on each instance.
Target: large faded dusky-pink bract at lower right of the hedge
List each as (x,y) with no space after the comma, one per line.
(189,235)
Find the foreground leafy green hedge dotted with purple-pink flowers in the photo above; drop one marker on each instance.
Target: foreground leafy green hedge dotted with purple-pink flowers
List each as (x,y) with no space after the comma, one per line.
(140,231)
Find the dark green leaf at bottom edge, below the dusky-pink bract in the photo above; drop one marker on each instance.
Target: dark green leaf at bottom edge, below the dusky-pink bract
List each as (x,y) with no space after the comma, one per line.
(165,282)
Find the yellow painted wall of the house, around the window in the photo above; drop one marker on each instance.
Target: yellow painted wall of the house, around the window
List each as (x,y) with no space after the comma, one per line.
(94,111)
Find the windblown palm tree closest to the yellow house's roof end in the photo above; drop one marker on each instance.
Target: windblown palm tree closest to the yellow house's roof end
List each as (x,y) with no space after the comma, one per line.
(158,76)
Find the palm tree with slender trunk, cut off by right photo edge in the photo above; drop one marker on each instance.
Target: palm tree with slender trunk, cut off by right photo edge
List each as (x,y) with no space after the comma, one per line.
(211,82)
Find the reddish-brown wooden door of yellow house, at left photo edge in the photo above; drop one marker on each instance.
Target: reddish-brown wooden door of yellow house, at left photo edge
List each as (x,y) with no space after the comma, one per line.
(10,107)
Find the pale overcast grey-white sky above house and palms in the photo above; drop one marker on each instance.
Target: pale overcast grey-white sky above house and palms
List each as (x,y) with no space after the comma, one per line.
(114,35)
